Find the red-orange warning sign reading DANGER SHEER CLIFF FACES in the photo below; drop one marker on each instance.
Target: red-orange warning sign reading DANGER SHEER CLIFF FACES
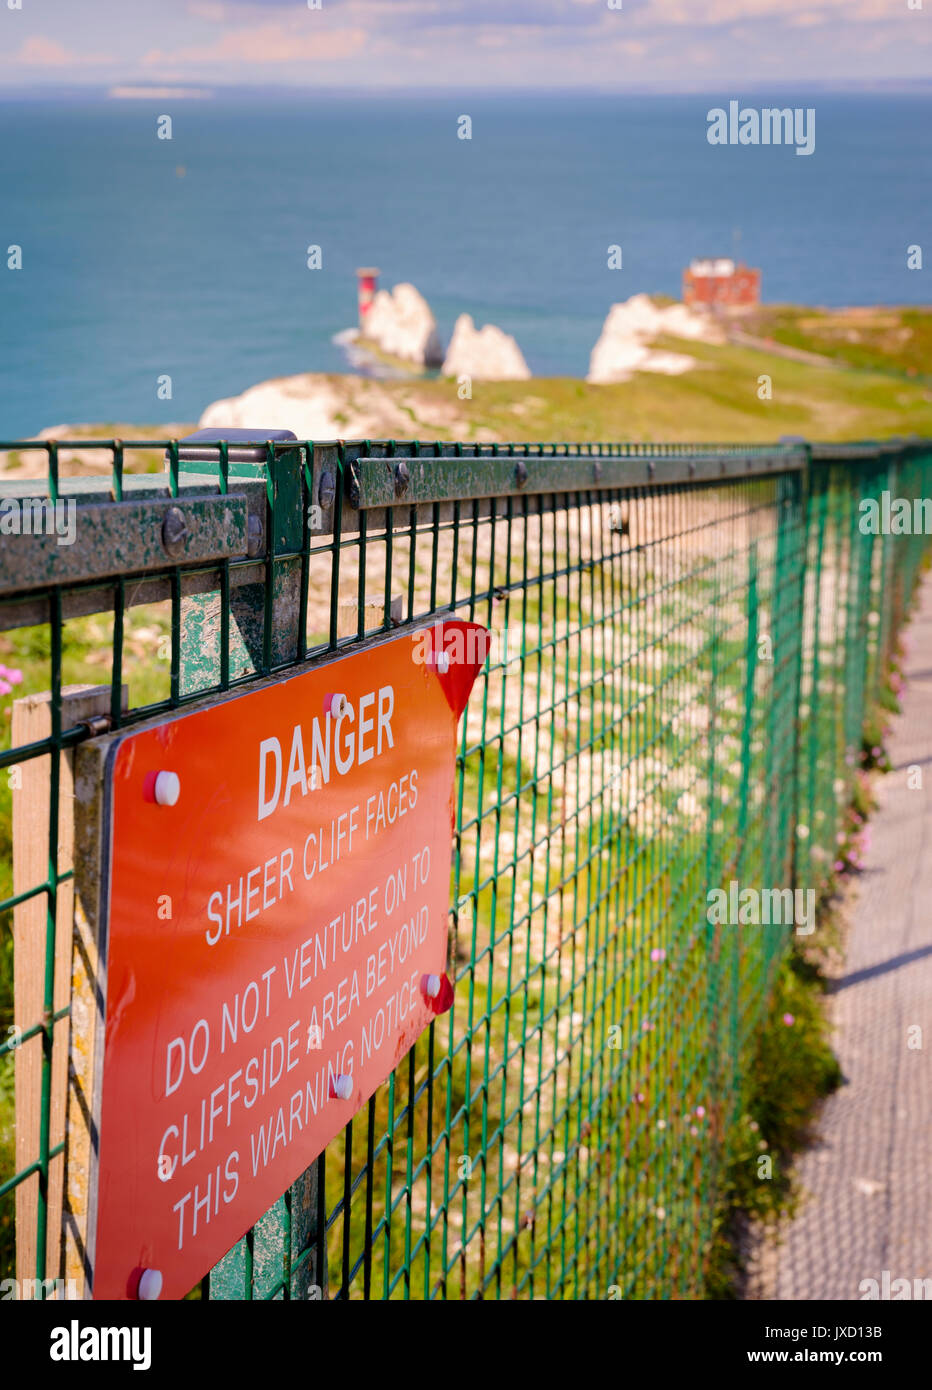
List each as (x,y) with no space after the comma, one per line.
(276,942)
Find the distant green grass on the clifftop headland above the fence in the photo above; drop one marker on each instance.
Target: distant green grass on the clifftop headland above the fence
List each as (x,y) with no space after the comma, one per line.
(867,395)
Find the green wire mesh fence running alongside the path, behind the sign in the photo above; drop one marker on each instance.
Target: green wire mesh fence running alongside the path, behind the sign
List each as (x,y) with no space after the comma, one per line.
(687,646)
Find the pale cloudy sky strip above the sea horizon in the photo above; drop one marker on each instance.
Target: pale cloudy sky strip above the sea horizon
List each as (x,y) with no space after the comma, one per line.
(608,45)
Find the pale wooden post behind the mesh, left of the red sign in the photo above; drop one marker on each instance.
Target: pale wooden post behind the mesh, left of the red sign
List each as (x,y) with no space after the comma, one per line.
(31,812)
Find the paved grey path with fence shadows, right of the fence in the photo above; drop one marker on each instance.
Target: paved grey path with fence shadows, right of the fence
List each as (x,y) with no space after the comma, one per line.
(867,1182)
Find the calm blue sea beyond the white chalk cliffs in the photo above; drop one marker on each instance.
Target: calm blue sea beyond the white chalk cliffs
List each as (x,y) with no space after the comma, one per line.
(188,258)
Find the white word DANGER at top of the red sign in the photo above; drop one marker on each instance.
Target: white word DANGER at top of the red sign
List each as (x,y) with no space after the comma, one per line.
(340,739)
